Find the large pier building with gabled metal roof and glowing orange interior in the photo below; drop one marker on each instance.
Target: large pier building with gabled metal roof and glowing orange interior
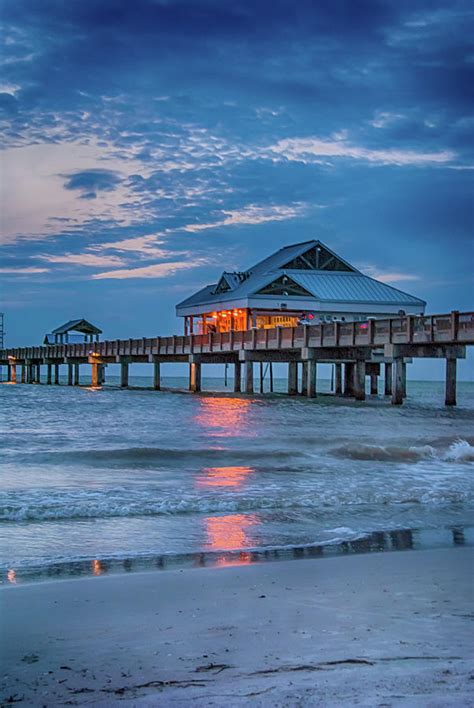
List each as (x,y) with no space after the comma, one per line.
(303,282)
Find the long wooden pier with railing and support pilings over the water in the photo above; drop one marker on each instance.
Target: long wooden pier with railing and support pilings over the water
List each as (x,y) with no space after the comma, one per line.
(357,349)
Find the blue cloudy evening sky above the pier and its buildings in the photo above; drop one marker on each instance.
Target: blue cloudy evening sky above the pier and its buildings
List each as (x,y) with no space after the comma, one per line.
(149,145)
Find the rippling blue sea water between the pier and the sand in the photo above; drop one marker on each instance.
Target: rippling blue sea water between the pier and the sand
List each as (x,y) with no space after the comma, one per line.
(96,481)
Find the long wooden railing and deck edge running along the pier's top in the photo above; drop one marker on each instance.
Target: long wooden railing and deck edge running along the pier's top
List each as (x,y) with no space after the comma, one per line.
(455,328)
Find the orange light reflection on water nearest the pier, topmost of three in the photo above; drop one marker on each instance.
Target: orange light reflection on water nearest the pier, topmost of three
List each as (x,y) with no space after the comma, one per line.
(223,417)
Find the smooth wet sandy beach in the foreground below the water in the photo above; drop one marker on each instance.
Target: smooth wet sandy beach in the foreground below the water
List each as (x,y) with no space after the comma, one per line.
(391,629)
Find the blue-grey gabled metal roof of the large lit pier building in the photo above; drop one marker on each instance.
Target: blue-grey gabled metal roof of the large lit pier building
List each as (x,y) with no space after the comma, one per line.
(306,275)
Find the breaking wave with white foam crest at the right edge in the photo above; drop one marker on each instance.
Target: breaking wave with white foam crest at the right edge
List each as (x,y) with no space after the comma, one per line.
(458,451)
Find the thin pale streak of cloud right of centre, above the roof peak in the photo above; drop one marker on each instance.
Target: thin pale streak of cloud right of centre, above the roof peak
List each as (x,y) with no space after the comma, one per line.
(308,150)
